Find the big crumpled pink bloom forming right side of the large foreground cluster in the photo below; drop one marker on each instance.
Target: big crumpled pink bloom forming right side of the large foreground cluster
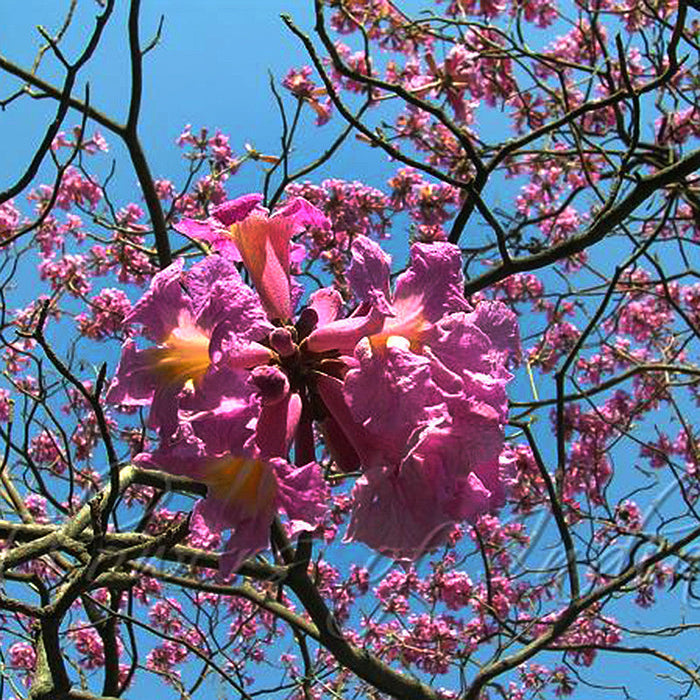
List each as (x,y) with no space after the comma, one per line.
(423,404)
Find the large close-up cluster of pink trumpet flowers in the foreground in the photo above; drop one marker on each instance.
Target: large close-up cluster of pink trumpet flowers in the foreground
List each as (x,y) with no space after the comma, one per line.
(408,389)
